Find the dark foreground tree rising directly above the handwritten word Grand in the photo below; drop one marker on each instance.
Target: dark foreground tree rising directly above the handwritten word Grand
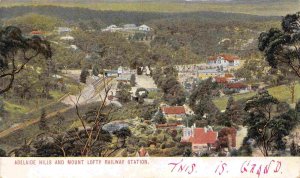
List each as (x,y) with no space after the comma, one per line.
(265,125)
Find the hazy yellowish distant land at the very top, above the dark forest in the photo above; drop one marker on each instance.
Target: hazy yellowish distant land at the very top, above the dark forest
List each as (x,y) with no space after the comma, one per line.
(254,7)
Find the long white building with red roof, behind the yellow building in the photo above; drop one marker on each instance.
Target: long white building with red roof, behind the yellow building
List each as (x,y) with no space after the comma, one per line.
(224,60)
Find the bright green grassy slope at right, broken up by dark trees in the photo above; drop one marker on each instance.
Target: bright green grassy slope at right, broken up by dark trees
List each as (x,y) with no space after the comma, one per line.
(282,93)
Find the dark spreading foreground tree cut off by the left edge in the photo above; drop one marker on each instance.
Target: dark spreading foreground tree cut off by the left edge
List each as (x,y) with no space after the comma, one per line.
(16,51)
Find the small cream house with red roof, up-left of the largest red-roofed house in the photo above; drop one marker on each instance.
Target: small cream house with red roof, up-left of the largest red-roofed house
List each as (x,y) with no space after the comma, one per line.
(173,112)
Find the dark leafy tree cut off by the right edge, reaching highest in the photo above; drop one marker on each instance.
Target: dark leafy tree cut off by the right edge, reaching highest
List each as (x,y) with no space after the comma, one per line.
(282,47)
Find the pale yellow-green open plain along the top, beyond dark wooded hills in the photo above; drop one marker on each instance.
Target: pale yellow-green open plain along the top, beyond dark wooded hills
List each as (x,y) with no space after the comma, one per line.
(266,9)
